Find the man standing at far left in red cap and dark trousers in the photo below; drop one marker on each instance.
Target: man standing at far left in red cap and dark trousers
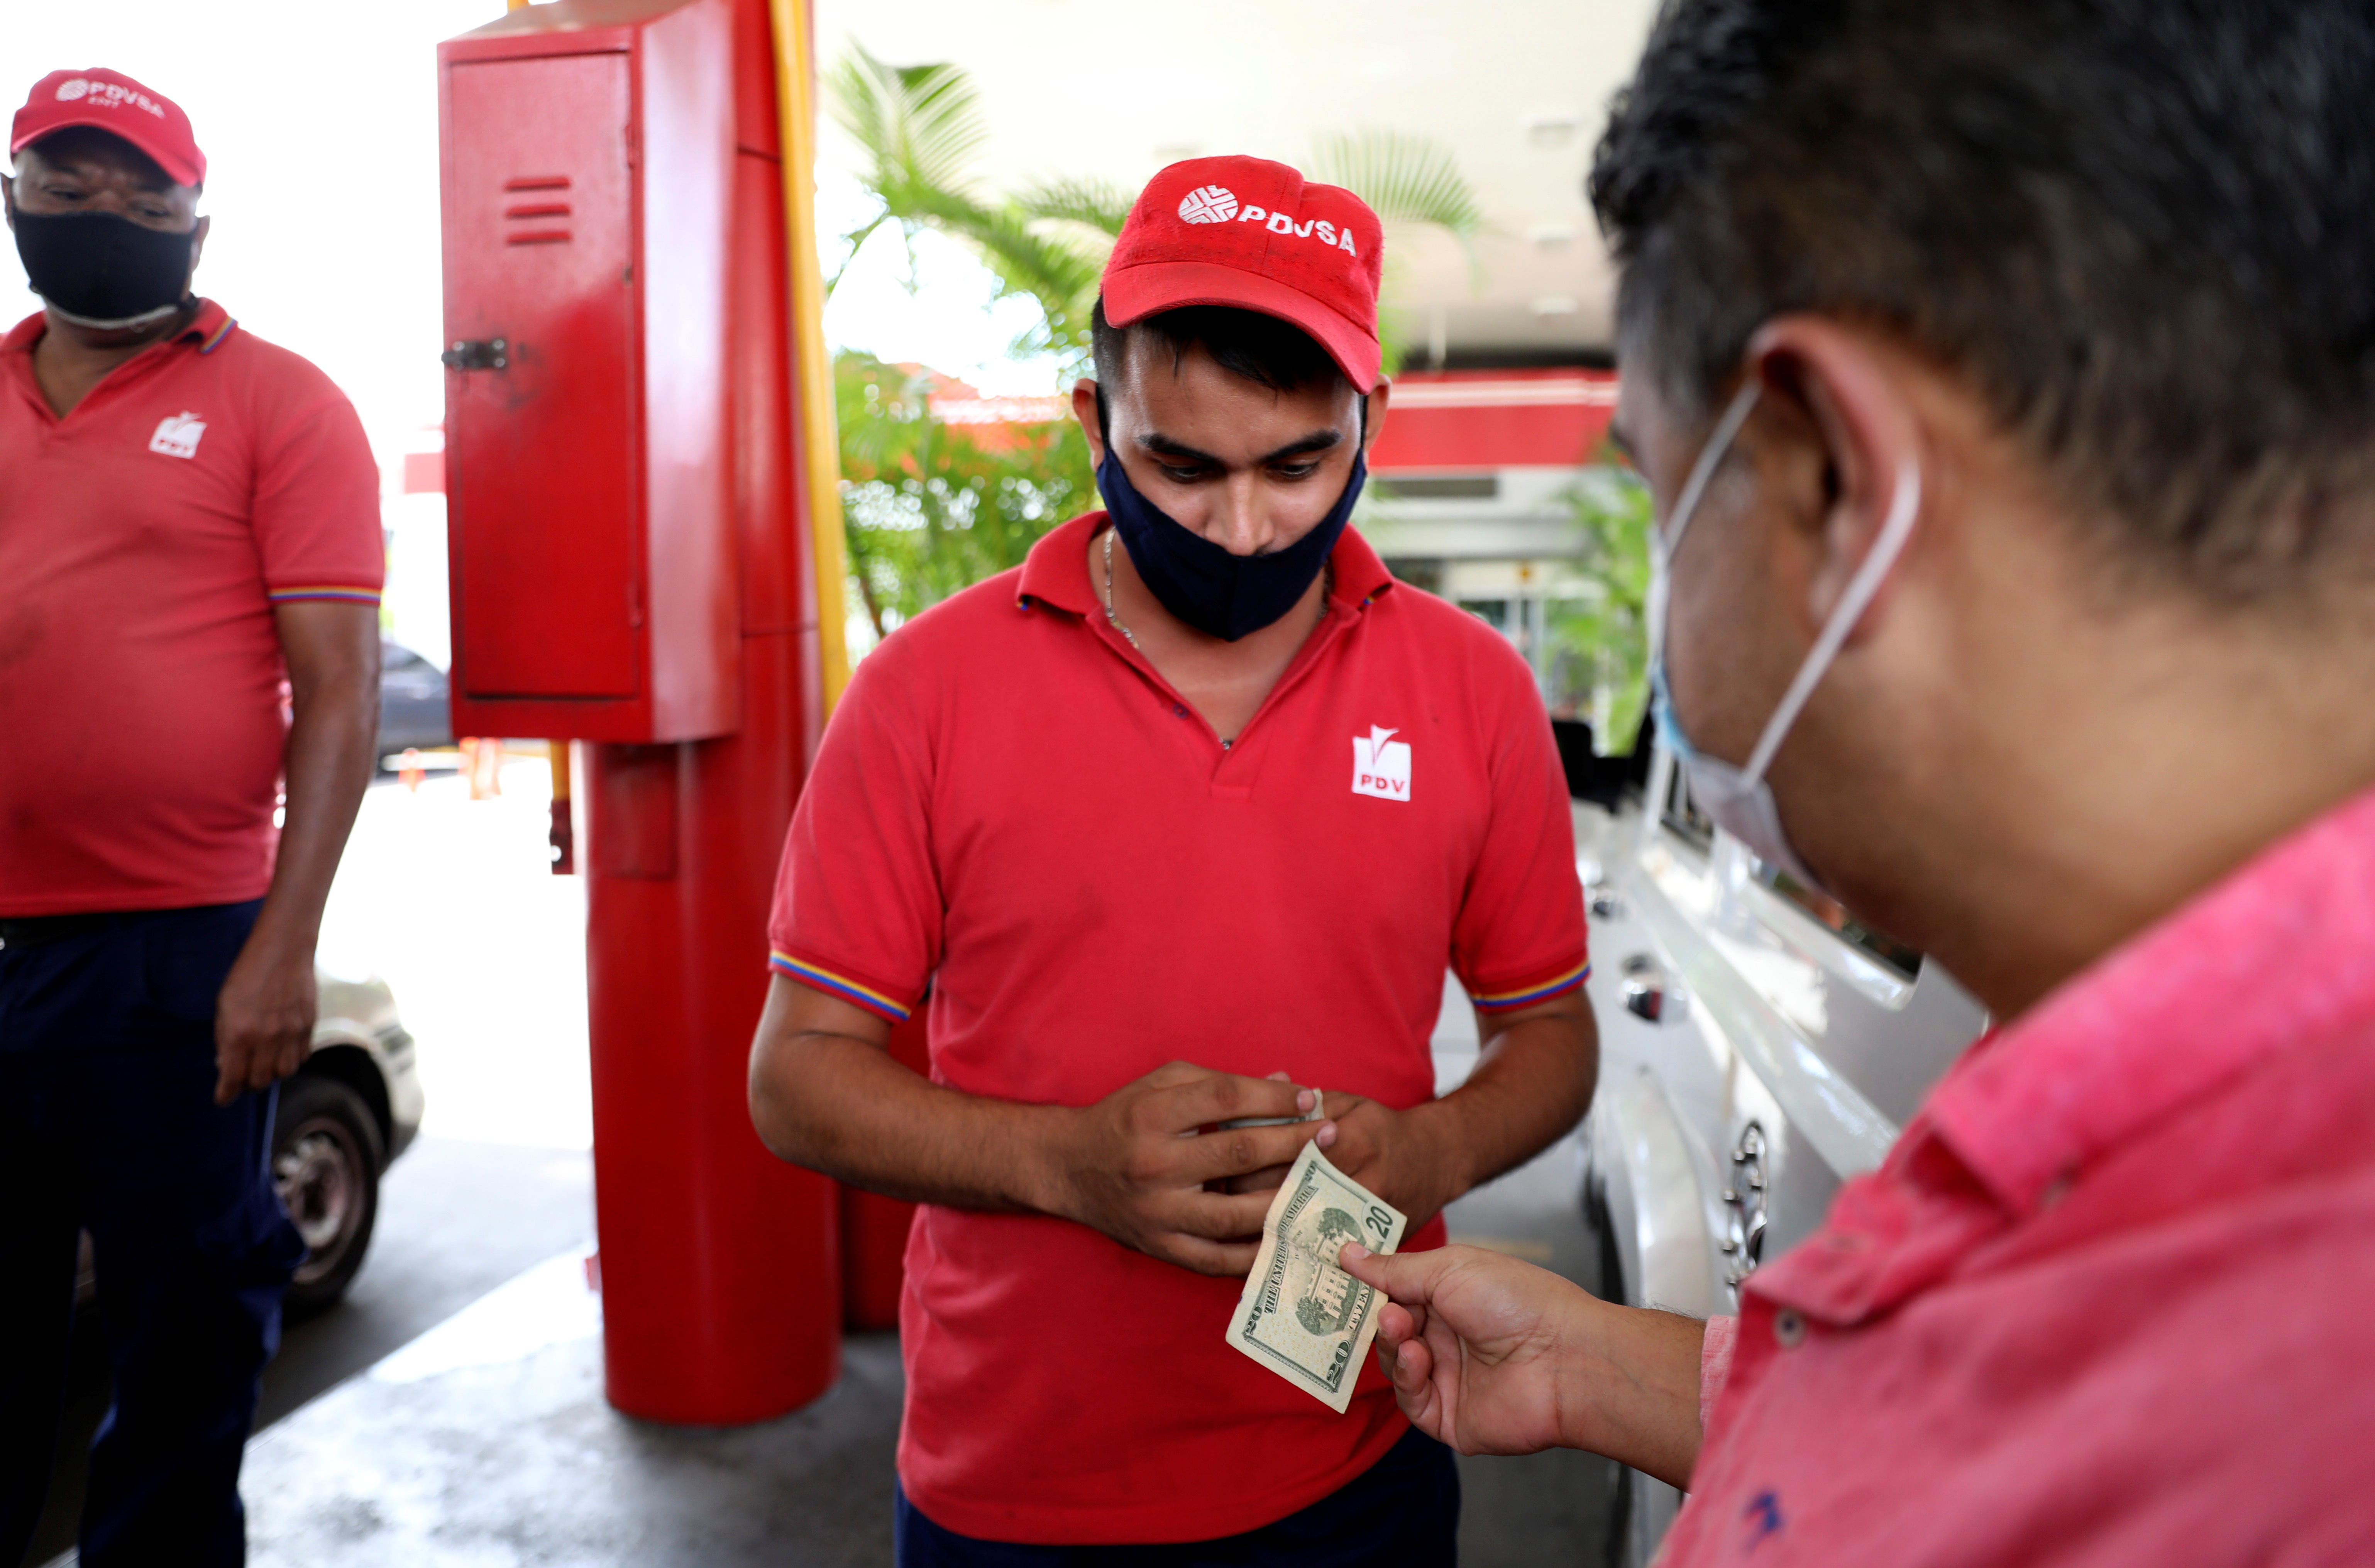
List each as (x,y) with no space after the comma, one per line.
(189,519)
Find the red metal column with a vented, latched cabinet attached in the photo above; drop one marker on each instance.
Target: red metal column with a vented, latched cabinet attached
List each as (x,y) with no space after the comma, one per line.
(631,569)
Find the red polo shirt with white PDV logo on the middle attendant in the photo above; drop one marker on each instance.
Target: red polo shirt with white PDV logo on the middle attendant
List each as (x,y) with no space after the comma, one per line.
(1015,807)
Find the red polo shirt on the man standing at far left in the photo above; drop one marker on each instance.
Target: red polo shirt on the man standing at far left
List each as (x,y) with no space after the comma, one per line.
(144,543)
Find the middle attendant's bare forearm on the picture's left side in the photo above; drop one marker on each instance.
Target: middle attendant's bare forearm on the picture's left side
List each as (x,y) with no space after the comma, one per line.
(854,1113)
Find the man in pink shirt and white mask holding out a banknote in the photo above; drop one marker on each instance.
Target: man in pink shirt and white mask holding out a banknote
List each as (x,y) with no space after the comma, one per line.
(2006,374)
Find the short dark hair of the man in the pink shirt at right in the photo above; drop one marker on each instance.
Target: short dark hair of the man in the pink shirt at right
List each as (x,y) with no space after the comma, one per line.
(2141,229)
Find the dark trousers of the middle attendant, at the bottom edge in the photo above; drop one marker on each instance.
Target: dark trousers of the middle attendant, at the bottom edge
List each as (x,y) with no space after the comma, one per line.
(1405,1510)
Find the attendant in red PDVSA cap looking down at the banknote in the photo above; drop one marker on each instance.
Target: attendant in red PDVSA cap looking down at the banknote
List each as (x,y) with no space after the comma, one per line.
(1196,797)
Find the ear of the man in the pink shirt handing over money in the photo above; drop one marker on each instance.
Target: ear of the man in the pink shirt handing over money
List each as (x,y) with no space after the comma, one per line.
(1851,405)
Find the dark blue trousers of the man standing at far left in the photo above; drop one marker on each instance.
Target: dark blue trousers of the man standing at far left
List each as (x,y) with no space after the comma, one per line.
(108,1123)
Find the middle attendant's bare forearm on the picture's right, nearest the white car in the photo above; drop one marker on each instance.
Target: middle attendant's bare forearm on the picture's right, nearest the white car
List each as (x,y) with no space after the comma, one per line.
(1531,1087)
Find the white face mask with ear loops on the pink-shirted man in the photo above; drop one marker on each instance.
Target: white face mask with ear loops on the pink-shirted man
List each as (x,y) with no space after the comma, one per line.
(1740,799)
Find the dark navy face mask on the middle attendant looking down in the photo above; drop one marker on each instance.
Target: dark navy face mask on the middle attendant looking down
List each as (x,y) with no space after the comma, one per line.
(1198,581)
